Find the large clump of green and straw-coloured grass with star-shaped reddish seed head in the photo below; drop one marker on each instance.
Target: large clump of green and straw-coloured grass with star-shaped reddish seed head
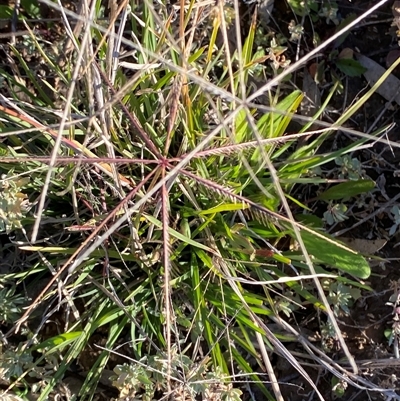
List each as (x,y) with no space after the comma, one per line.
(161,201)
